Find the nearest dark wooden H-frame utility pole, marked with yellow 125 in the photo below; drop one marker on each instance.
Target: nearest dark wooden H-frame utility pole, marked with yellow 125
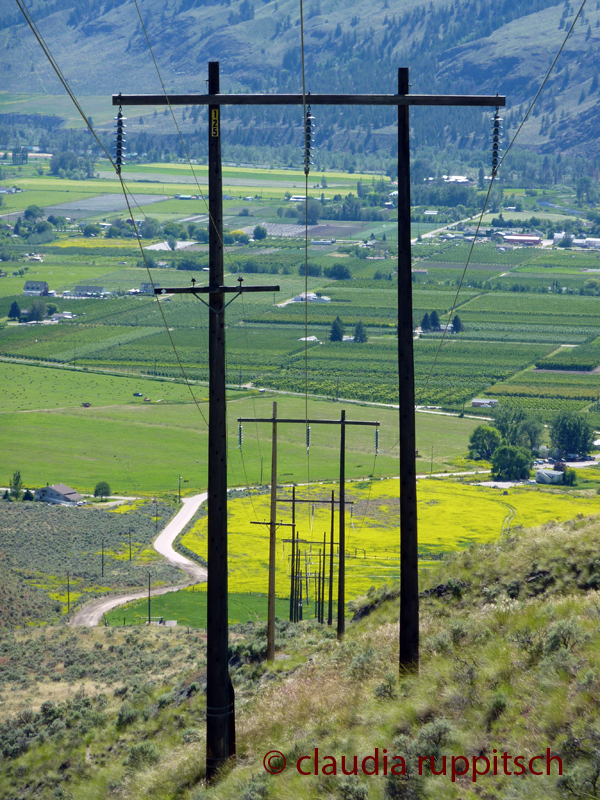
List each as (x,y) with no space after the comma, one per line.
(219,692)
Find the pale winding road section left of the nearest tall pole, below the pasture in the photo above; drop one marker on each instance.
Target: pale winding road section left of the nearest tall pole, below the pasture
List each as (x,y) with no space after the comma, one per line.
(91,614)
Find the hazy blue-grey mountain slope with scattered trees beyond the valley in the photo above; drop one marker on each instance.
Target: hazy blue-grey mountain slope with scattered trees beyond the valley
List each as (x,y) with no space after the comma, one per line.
(472,47)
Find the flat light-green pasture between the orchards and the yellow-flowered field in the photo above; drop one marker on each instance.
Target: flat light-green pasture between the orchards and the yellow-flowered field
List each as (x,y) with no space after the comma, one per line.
(149,444)
